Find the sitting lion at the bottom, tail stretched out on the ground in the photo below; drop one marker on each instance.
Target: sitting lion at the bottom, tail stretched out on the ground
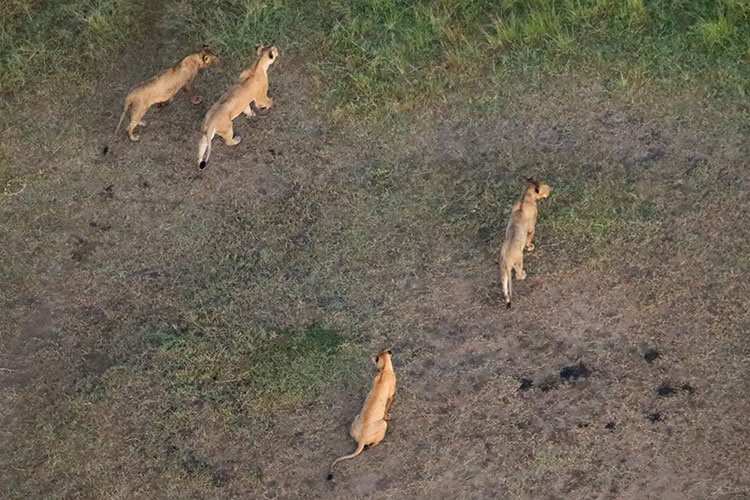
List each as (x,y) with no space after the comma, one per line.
(370,425)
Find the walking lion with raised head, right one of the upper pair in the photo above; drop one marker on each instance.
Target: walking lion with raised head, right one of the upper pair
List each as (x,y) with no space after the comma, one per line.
(252,86)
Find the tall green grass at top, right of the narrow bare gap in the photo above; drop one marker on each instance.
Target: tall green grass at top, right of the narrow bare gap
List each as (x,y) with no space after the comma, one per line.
(394,56)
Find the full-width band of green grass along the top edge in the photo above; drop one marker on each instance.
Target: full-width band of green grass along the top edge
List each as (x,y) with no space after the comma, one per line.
(389,55)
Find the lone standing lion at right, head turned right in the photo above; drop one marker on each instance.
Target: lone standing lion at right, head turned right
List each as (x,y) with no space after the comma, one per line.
(518,234)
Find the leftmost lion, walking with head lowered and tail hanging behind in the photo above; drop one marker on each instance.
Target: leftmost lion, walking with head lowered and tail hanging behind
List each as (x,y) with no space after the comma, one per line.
(162,88)
